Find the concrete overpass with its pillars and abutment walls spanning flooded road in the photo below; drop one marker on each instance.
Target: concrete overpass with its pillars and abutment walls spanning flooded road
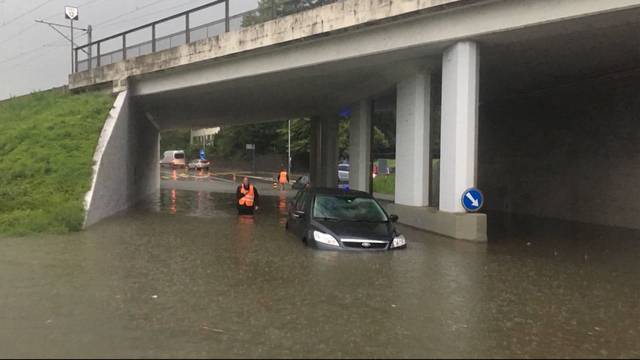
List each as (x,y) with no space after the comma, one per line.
(533,102)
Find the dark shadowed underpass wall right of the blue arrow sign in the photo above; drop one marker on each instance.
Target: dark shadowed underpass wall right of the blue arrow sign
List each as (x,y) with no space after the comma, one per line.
(570,153)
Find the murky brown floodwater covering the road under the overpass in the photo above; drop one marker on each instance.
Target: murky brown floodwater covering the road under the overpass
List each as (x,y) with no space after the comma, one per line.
(184,276)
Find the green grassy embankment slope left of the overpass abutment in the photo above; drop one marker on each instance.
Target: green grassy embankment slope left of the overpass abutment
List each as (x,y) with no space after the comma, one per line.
(47,141)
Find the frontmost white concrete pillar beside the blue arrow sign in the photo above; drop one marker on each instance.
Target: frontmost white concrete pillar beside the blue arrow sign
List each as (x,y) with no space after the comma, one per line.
(458,142)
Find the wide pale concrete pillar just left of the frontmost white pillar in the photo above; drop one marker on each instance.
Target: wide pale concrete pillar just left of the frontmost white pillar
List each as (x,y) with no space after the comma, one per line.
(413,120)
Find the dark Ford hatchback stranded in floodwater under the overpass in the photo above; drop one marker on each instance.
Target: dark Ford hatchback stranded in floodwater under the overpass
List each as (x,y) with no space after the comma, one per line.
(335,219)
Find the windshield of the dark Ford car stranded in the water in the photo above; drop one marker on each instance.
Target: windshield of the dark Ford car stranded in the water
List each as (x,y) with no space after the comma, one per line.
(348,208)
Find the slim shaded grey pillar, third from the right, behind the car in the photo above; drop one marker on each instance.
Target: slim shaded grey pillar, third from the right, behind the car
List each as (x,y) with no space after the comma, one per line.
(360,146)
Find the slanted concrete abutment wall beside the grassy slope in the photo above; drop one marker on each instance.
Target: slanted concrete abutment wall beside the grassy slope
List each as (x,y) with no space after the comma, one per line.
(125,163)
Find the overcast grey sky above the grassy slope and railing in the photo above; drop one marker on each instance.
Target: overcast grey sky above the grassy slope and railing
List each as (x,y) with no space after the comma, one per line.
(35,57)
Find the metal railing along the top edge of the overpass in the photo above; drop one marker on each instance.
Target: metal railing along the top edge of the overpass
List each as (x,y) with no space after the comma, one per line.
(97,53)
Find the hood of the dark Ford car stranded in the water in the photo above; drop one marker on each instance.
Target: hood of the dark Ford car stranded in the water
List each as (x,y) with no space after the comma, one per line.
(362,230)
